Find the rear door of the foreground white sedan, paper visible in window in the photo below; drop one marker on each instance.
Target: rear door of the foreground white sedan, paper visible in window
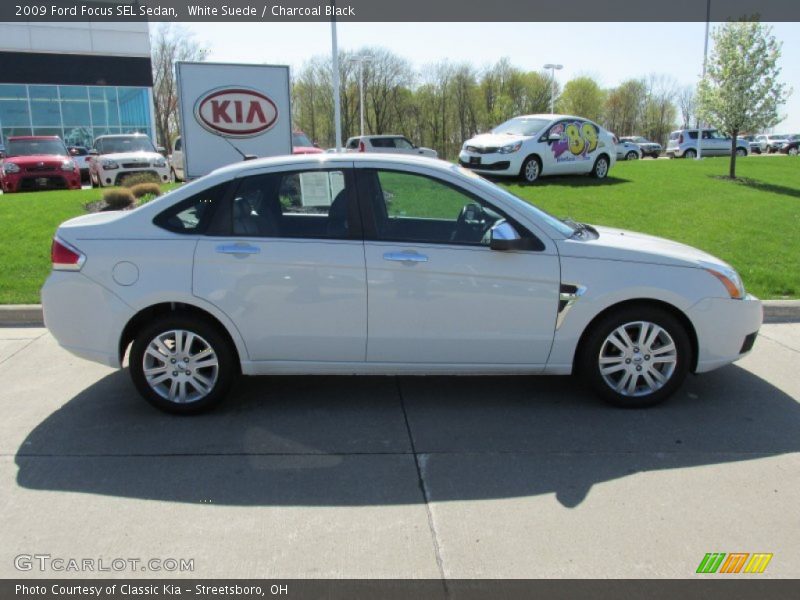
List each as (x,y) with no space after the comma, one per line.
(286,264)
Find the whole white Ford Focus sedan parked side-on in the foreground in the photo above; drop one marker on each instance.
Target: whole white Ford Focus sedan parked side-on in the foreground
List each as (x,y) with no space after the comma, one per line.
(345,264)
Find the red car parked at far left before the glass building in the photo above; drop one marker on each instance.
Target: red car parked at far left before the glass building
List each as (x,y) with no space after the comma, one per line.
(37,162)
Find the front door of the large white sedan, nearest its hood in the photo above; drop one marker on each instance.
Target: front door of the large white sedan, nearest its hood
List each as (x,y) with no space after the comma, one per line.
(438,295)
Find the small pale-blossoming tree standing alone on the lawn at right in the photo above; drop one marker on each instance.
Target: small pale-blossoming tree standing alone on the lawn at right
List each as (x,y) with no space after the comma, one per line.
(741,91)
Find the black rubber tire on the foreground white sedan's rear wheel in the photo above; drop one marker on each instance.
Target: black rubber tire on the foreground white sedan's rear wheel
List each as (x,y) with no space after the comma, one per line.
(207,333)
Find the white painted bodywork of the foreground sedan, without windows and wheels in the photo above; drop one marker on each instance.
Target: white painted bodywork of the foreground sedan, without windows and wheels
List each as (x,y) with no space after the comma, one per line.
(311,306)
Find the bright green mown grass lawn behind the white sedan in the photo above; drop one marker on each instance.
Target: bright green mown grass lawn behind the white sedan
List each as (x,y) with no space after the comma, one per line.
(753,224)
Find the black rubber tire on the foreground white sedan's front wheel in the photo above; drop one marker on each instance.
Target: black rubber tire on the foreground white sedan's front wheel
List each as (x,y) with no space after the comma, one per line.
(595,342)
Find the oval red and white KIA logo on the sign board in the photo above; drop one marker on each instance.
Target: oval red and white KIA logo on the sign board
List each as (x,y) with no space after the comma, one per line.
(236,112)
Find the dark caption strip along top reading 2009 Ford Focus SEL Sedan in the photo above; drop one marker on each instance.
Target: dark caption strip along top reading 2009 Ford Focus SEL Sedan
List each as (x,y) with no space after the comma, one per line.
(399,10)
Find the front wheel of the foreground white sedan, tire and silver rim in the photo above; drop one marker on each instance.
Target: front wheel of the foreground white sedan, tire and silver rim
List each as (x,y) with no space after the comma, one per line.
(636,357)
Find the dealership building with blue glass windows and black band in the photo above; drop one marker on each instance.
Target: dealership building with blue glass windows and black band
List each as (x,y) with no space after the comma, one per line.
(75,80)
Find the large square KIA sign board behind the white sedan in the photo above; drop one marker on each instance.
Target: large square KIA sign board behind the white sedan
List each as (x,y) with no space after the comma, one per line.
(228,111)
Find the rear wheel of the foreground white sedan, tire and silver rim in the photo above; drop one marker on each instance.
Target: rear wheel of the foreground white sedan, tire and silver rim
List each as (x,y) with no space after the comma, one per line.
(181,364)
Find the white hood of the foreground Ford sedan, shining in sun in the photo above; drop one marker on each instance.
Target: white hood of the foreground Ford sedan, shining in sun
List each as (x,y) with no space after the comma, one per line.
(620,244)
